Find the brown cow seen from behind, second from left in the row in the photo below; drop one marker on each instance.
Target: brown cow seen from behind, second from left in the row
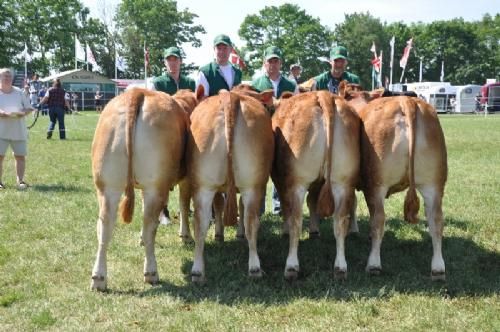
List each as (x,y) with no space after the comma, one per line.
(230,147)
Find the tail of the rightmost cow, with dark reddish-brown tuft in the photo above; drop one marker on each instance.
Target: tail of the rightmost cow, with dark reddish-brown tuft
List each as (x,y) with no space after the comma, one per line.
(412,203)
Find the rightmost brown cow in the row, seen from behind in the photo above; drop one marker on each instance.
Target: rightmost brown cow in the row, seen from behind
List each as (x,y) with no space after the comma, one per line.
(402,146)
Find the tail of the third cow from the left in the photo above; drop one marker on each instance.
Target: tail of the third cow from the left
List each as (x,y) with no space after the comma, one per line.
(326,203)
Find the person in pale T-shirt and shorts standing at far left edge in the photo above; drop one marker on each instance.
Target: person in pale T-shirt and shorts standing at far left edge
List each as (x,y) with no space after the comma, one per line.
(14,106)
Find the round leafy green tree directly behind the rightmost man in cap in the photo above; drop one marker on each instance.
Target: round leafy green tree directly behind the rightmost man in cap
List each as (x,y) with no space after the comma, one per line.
(357,33)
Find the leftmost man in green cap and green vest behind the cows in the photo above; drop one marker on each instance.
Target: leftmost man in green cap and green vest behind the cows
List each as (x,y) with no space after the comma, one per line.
(172,80)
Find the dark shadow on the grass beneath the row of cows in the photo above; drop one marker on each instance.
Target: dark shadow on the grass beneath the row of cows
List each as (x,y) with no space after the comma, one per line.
(471,269)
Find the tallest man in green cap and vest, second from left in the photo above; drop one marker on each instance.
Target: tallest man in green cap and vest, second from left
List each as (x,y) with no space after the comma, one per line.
(220,73)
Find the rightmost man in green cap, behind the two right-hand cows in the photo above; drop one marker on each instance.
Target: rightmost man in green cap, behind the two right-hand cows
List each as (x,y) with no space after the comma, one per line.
(330,80)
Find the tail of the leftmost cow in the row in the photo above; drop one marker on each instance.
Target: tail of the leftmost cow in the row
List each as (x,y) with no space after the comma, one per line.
(127,204)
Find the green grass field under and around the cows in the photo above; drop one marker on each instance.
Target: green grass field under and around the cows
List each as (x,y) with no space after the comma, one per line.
(48,244)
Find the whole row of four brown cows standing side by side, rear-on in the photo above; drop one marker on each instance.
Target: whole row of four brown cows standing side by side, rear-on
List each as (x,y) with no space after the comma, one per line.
(315,143)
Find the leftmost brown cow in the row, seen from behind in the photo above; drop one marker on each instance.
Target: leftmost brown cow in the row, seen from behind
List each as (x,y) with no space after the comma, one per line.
(139,142)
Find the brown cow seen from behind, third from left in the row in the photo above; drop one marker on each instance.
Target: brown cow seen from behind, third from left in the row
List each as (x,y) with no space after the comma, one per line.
(317,150)
